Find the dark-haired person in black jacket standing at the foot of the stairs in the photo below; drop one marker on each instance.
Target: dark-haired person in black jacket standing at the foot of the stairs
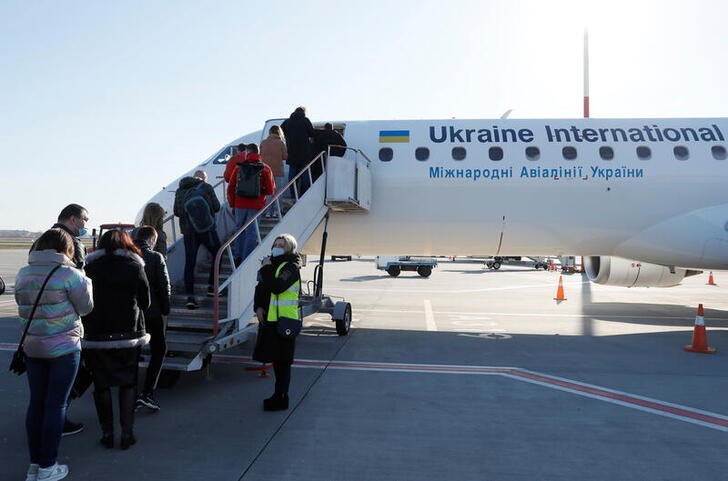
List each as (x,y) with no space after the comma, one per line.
(155,317)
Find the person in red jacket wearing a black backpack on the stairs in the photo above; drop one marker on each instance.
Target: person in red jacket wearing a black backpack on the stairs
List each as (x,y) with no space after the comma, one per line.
(246,208)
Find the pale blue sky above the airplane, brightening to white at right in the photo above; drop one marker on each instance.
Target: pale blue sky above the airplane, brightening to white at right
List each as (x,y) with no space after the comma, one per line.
(103,103)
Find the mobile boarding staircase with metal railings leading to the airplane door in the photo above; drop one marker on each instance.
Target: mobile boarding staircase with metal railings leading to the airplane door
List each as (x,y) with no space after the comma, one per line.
(226,319)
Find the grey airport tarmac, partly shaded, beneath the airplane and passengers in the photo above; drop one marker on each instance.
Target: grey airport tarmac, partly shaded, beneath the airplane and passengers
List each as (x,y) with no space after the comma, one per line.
(471,374)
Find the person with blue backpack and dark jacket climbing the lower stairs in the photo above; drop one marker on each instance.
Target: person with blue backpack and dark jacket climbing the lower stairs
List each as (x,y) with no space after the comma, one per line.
(190,187)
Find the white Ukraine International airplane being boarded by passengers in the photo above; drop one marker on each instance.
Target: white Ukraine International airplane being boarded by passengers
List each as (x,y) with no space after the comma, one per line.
(642,200)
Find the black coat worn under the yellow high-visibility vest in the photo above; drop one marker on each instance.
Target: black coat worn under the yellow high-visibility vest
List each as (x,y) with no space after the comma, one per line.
(269,347)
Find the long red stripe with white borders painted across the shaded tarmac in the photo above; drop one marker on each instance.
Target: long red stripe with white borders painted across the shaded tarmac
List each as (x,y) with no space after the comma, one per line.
(641,403)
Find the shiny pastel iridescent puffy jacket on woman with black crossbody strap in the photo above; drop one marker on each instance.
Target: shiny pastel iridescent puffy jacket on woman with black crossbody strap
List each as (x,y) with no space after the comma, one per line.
(56,329)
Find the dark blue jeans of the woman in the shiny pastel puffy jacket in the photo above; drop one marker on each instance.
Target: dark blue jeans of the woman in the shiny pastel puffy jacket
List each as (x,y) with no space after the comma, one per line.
(50,382)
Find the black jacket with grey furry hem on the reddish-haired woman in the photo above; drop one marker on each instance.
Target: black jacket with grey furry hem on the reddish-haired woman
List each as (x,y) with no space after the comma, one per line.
(121,295)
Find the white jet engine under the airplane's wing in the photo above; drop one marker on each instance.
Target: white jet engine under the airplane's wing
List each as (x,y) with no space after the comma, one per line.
(616,271)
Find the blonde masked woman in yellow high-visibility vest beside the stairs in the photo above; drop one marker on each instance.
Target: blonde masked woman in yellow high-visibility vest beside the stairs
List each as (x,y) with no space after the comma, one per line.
(276,295)
